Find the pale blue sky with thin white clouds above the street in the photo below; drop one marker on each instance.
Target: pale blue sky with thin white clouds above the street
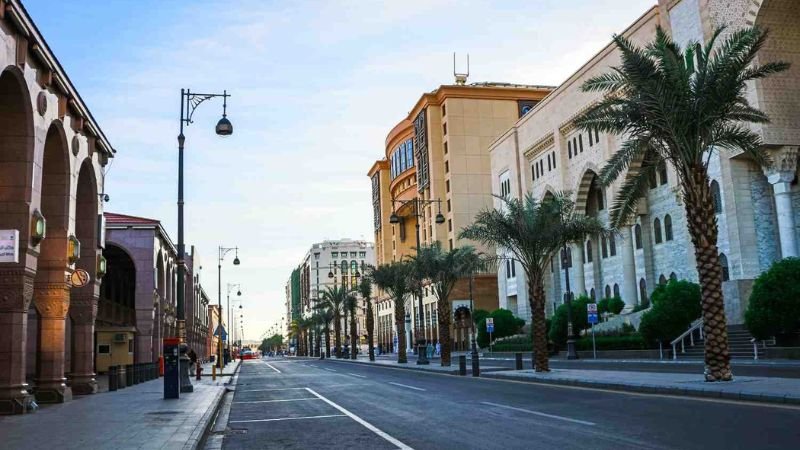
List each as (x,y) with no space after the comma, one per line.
(315,88)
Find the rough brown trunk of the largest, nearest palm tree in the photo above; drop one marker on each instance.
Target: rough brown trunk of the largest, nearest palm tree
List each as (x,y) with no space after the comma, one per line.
(702,223)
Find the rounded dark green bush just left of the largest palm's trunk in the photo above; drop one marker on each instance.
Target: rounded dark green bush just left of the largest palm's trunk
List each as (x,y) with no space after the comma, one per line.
(675,306)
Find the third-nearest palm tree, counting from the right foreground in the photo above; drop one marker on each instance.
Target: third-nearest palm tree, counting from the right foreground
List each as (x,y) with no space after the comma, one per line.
(443,269)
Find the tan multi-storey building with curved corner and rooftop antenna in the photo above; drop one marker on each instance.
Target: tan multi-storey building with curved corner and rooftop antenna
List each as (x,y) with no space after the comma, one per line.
(438,155)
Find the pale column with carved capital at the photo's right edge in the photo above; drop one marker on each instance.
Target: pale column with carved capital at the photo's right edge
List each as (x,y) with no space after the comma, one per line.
(780,175)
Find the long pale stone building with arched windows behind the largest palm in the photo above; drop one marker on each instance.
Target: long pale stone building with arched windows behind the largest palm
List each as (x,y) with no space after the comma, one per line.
(757,209)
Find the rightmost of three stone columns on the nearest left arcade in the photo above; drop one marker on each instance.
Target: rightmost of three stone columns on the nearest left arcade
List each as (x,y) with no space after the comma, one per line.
(83,312)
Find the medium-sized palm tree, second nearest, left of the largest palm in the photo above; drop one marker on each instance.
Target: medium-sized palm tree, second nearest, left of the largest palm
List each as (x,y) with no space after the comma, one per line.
(534,232)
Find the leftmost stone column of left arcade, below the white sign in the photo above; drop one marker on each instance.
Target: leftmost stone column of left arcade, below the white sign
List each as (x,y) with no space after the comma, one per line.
(16,292)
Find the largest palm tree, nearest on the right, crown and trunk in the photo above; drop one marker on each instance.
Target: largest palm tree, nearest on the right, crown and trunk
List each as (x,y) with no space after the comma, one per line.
(678,106)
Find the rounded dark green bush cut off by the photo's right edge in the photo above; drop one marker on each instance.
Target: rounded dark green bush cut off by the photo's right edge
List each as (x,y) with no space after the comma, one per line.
(774,306)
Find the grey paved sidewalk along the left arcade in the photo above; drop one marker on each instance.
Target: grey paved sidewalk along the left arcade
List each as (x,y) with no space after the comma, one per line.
(136,417)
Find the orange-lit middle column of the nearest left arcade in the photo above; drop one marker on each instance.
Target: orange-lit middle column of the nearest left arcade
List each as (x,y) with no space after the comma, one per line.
(51,298)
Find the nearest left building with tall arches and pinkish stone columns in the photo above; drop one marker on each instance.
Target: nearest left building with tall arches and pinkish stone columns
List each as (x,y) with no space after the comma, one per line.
(52,155)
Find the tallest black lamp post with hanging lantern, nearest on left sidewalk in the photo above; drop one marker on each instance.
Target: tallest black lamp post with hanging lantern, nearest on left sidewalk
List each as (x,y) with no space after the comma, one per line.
(189,103)
